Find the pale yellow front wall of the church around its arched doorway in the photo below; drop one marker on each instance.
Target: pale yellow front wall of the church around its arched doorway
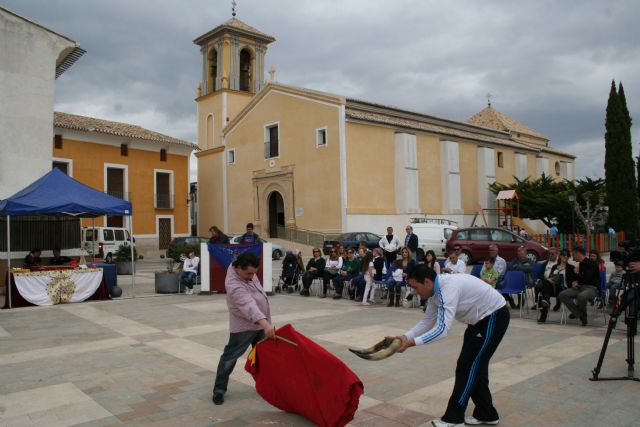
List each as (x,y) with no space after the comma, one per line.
(316,171)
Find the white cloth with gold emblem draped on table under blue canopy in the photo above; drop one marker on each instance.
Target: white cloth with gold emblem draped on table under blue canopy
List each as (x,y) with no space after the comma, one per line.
(58,286)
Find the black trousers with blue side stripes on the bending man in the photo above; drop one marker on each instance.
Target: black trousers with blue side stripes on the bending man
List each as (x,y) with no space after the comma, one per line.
(472,371)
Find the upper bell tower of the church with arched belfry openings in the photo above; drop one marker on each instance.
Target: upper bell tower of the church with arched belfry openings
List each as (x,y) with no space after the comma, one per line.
(232,72)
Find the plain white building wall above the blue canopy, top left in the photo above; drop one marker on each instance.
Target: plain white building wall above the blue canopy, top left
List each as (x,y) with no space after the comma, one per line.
(28,55)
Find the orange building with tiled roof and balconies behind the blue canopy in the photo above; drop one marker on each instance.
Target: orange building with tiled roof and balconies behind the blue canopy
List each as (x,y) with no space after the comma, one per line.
(147,168)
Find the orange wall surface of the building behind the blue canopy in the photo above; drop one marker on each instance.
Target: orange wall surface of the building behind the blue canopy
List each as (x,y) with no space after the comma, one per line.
(88,168)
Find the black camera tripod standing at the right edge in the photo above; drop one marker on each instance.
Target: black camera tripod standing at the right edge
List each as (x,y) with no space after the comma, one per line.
(629,300)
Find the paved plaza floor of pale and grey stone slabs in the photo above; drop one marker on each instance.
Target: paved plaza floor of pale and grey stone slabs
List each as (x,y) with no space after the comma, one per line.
(151,360)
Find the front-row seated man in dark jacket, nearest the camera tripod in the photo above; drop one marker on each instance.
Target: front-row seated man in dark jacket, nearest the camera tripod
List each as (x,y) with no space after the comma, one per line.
(585,286)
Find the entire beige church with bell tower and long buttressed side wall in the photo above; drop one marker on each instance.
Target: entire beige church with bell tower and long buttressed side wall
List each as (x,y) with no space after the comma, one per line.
(275,154)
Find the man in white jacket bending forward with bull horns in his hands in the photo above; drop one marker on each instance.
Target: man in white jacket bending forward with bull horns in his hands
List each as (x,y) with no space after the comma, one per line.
(477,304)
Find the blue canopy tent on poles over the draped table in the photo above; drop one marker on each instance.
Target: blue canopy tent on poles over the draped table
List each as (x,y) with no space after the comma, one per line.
(55,193)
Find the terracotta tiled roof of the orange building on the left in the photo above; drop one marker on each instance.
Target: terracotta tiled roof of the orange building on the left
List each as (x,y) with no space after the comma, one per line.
(91,124)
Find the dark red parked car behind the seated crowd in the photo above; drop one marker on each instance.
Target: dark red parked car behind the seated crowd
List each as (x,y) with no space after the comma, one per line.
(474,243)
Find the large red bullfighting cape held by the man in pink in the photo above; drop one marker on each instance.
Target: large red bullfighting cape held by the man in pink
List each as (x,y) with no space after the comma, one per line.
(305,379)
